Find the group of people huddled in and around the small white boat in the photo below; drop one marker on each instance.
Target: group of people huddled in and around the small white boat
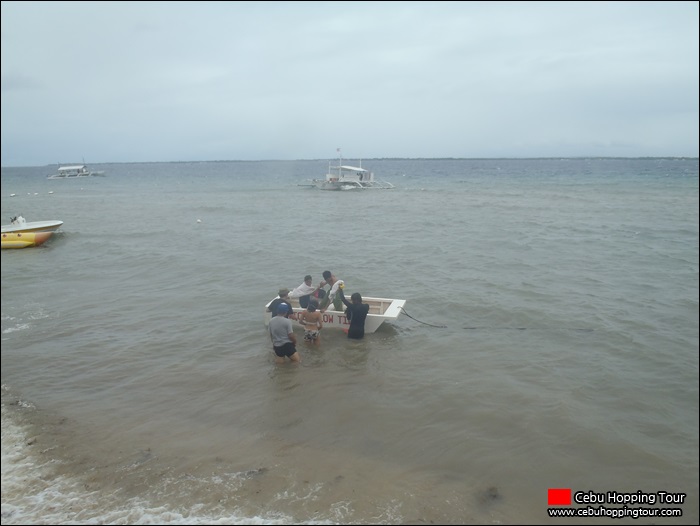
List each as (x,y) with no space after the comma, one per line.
(315,301)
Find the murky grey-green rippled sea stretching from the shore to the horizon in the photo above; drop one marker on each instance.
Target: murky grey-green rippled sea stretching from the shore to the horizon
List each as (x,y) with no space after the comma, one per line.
(549,340)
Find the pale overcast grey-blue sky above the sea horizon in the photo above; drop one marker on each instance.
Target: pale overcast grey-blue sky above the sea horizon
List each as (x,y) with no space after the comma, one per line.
(181,81)
